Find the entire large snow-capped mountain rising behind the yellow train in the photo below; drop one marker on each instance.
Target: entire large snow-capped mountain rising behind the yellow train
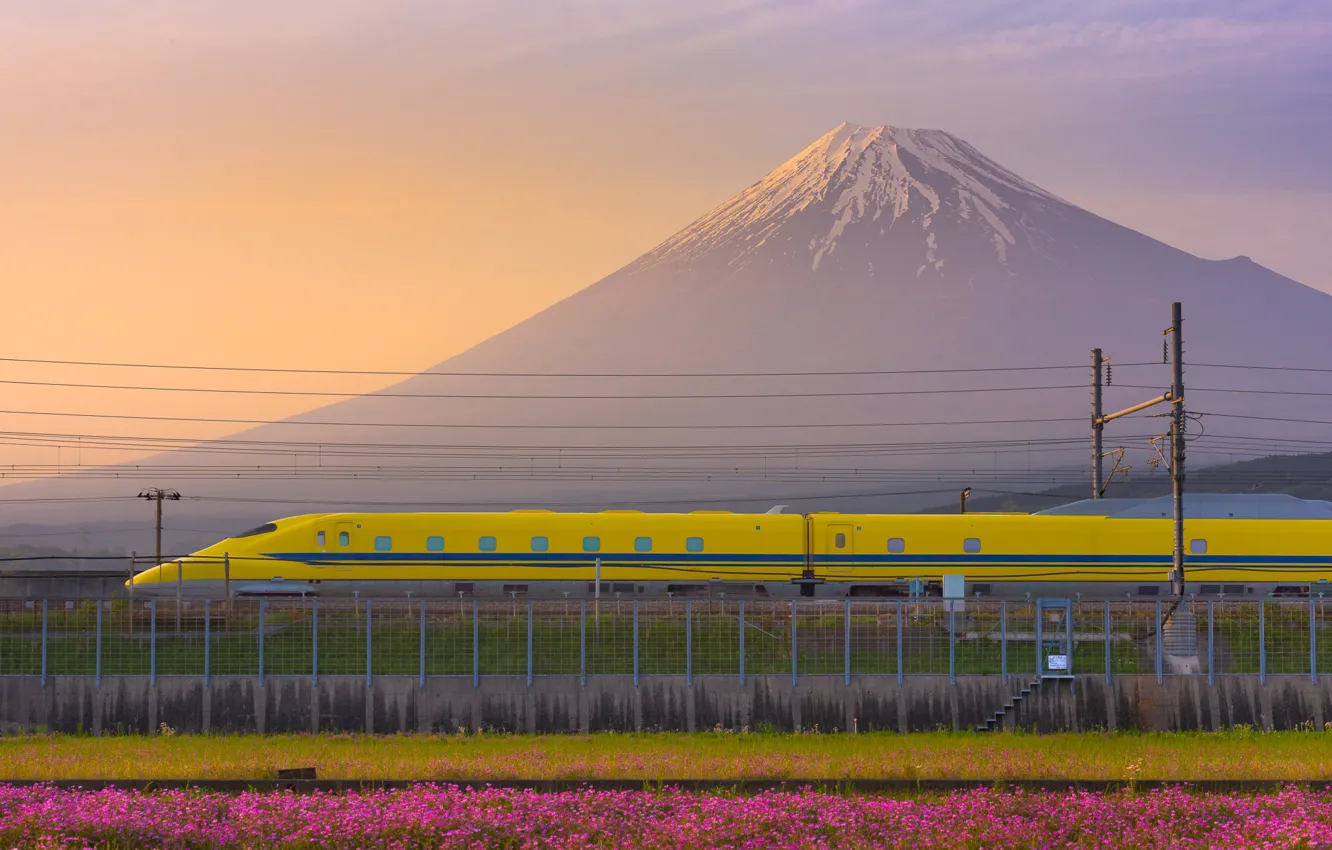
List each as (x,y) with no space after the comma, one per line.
(930,314)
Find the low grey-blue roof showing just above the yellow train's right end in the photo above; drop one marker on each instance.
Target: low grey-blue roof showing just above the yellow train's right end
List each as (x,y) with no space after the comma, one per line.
(1201,507)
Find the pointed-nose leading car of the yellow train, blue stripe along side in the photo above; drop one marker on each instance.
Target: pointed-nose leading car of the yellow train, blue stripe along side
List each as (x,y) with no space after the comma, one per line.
(531,554)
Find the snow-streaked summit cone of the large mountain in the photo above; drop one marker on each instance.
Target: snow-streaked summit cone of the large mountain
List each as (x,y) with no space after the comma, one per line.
(878,194)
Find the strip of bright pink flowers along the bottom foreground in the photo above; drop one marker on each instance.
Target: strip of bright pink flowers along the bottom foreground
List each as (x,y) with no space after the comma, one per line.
(450,817)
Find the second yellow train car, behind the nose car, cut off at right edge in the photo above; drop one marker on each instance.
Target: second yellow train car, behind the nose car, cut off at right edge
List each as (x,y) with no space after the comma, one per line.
(1234,546)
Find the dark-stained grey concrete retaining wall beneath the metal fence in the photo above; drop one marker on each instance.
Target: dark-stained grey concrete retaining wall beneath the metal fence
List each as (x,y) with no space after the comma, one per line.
(564,705)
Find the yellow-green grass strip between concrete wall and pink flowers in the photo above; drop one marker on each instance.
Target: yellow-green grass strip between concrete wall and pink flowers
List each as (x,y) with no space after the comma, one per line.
(1218,756)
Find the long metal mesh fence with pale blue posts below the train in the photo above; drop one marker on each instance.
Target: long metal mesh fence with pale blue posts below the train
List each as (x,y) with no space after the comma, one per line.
(643,639)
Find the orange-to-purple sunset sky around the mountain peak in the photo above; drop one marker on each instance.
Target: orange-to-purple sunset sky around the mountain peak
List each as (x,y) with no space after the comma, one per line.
(383,185)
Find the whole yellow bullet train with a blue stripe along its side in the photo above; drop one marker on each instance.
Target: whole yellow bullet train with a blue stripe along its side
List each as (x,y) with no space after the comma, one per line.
(1235,547)
